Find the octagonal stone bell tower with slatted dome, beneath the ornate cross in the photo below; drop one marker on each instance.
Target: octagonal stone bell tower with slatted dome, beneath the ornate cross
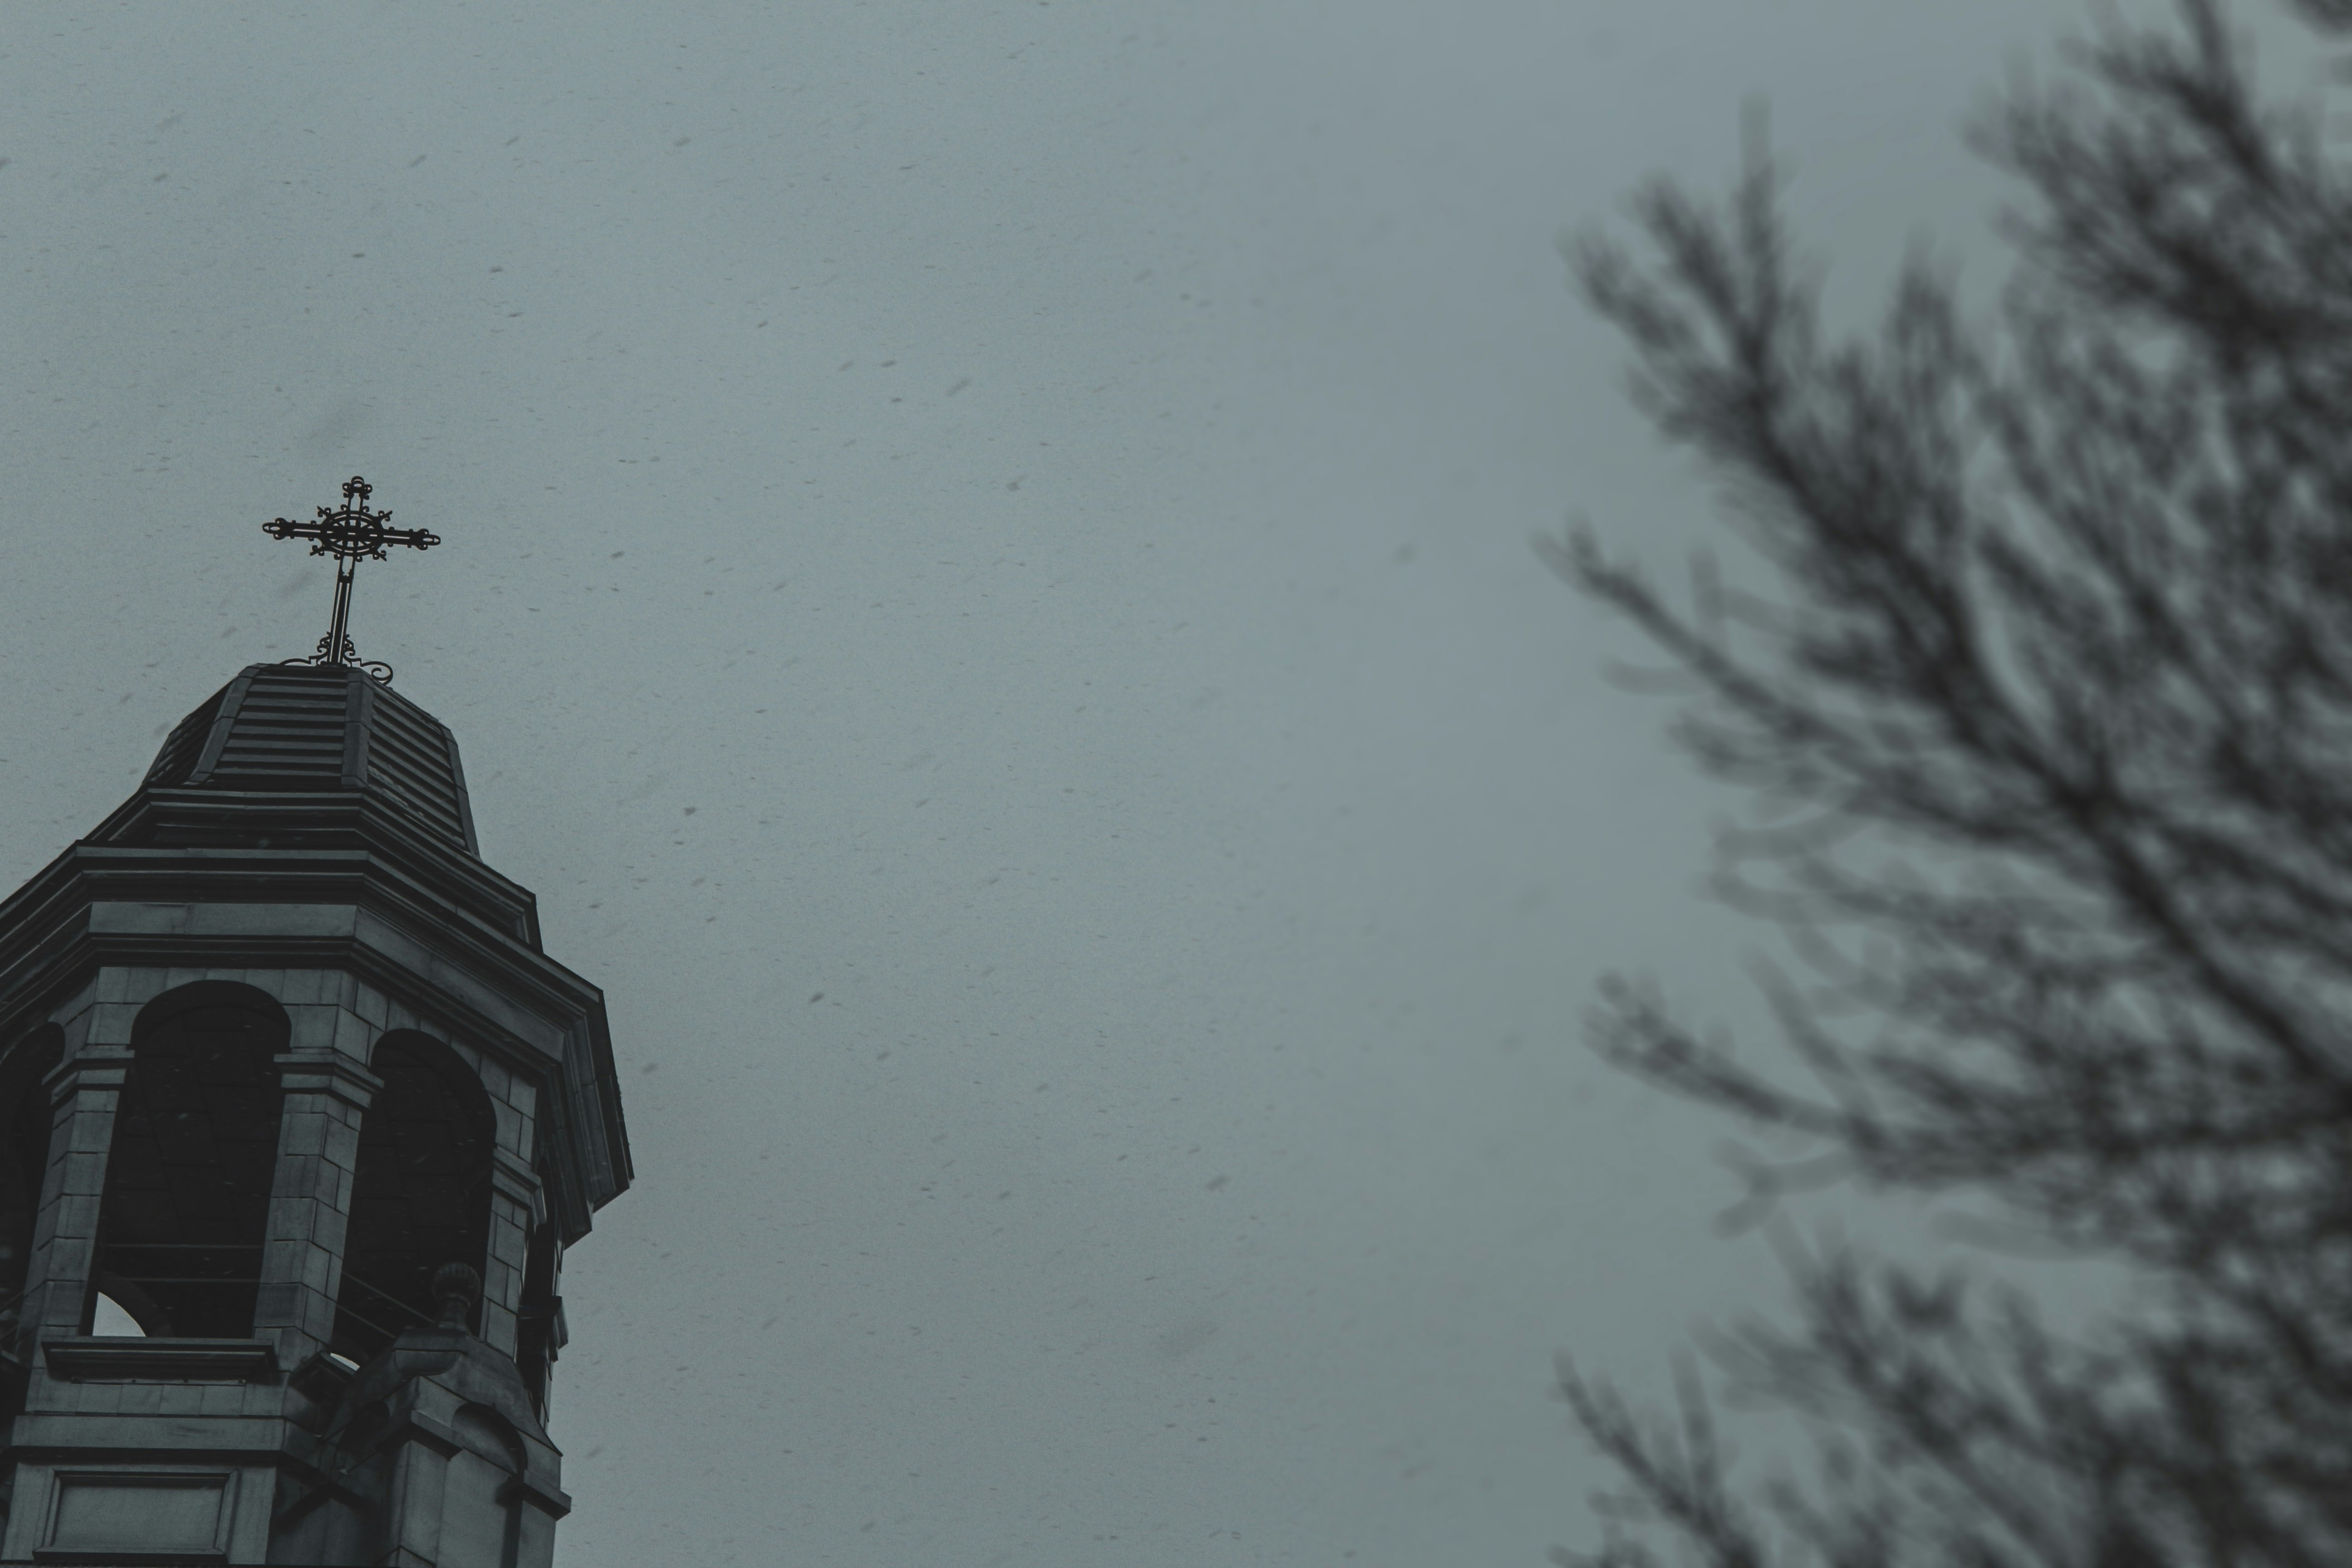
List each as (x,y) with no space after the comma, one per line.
(288,1078)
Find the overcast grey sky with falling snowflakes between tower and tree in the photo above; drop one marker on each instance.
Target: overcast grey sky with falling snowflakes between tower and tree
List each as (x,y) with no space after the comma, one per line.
(989,591)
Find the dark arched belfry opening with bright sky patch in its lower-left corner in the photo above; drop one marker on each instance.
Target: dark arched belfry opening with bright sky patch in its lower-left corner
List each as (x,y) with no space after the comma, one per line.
(189,1170)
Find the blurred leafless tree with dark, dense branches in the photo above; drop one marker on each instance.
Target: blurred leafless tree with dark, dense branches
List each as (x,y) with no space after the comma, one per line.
(2054,723)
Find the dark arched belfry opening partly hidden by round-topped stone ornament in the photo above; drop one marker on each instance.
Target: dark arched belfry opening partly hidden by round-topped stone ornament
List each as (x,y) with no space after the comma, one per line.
(422,1191)
